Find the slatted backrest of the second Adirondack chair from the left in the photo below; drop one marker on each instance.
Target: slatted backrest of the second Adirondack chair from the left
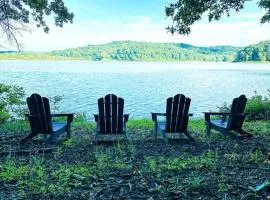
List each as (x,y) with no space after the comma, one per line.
(111,113)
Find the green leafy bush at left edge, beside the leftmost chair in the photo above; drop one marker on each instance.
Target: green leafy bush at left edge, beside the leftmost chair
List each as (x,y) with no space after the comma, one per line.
(11,101)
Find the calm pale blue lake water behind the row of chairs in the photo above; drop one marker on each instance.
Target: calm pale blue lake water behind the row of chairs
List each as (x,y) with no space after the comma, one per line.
(144,86)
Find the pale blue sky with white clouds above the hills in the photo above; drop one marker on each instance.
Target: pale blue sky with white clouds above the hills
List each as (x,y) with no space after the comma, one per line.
(103,21)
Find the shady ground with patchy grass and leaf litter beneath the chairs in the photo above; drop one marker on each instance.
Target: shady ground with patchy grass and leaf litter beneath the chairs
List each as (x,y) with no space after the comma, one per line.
(215,168)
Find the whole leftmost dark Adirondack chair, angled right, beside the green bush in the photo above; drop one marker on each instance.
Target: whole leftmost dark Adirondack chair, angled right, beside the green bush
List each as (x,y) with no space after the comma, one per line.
(40,119)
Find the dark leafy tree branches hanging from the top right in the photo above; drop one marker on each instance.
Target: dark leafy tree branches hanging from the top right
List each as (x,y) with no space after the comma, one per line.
(184,13)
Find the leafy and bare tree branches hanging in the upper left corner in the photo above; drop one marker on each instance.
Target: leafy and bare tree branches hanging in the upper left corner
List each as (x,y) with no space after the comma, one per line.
(16,14)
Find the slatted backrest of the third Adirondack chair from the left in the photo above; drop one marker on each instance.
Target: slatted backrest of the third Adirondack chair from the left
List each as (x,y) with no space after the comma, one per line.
(177,113)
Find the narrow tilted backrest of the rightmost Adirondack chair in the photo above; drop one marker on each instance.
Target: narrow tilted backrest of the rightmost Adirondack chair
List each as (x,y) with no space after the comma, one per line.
(235,122)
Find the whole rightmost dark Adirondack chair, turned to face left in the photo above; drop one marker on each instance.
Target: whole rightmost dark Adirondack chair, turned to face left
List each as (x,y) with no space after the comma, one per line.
(231,121)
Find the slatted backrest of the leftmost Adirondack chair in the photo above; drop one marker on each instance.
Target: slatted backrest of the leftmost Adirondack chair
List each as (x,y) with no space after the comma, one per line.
(40,114)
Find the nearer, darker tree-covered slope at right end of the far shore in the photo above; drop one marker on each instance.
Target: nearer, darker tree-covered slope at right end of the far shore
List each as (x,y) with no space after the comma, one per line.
(259,52)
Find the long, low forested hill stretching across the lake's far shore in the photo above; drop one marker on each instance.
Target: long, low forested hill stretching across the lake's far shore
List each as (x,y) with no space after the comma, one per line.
(135,51)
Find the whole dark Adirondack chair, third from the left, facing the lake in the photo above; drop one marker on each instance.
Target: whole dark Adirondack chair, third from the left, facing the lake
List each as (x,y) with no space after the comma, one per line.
(176,117)
